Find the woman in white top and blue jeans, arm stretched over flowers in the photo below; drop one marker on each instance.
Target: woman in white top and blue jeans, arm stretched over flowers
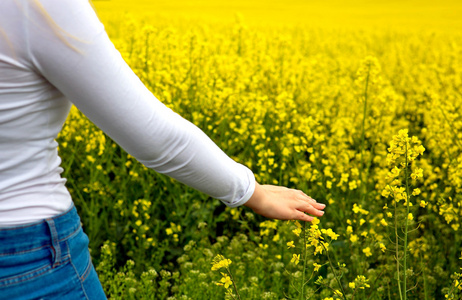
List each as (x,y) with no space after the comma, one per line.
(55,53)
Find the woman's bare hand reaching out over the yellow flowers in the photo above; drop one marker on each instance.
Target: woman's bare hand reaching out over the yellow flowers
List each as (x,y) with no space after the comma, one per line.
(282,203)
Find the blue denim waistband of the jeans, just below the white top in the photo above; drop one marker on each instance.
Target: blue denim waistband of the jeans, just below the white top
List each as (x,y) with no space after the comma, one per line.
(49,232)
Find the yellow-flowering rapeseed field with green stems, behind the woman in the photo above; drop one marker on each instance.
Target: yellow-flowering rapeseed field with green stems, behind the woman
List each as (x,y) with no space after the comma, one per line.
(359,106)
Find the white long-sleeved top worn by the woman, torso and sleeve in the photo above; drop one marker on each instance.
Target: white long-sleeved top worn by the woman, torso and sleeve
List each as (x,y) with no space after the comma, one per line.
(55,53)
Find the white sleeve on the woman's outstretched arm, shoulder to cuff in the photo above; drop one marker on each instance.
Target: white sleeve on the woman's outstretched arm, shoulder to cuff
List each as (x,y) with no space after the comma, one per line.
(68,45)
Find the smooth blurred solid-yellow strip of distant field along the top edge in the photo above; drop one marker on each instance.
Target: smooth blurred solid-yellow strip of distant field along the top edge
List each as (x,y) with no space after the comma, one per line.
(410,14)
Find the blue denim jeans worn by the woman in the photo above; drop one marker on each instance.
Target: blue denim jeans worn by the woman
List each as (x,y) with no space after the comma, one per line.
(48,260)
